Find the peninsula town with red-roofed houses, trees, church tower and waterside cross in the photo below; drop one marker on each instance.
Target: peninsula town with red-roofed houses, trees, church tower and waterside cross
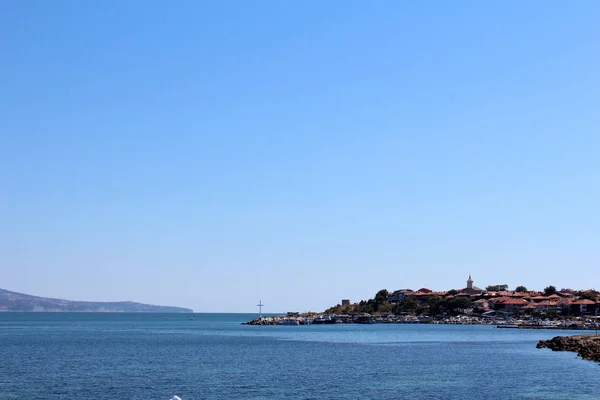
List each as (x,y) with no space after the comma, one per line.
(551,308)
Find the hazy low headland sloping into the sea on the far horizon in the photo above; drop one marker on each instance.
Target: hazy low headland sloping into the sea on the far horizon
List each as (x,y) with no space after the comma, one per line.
(19,302)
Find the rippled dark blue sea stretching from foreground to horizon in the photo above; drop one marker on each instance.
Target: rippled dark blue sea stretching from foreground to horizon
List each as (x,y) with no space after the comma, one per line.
(212,356)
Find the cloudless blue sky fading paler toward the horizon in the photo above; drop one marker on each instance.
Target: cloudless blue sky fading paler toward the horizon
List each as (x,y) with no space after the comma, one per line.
(214,154)
